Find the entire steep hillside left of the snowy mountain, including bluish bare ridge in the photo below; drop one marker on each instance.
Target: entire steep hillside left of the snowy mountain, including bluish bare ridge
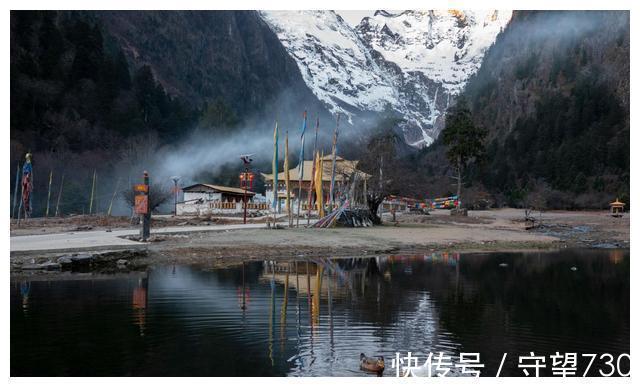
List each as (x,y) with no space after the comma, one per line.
(95,90)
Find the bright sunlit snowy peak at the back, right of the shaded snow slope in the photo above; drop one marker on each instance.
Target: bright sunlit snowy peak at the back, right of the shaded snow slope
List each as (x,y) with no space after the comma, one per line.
(446,46)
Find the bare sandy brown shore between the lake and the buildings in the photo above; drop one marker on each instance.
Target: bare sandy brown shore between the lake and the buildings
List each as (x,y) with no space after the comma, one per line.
(494,230)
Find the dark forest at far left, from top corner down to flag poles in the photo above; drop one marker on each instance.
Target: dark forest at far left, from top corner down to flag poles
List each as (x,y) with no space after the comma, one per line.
(76,99)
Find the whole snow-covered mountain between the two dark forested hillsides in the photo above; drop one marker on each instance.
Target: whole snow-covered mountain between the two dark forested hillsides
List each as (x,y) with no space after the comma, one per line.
(412,62)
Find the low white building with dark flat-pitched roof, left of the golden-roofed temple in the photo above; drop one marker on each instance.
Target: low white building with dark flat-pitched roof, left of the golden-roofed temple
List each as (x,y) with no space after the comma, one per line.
(205,199)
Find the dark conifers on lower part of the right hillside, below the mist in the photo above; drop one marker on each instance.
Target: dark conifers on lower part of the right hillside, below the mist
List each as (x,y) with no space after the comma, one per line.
(576,143)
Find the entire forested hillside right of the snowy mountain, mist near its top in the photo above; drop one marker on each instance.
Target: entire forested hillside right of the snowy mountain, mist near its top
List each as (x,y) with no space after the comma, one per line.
(553,93)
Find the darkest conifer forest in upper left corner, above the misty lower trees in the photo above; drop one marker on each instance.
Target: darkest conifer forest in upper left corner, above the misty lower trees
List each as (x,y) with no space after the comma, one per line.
(71,87)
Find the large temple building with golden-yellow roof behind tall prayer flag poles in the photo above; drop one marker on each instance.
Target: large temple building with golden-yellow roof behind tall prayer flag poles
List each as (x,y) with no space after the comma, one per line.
(346,173)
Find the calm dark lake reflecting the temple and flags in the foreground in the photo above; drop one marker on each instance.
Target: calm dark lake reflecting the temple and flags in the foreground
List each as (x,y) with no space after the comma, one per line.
(314,317)
